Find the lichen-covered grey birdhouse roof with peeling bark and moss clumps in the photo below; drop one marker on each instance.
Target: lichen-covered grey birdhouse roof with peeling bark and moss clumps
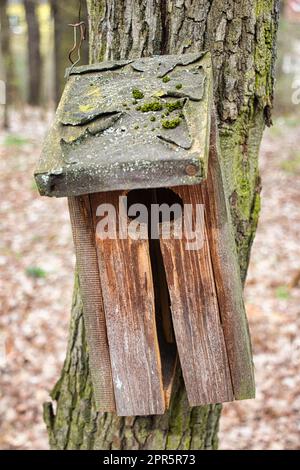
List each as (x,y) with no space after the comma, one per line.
(129,124)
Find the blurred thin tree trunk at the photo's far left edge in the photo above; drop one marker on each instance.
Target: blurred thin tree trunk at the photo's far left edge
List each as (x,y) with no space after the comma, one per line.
(6,58)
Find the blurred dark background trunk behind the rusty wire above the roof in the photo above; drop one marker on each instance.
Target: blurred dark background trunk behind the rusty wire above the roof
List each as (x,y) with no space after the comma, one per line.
(65,13)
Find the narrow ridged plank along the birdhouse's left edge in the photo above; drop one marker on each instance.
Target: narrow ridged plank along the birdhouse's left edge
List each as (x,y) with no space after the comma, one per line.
(90,289)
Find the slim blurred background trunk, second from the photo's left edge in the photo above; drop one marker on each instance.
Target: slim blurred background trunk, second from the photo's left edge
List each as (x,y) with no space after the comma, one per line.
(34,54)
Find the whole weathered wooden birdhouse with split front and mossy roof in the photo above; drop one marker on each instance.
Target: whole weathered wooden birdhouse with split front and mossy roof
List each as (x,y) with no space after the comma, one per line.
(159,291)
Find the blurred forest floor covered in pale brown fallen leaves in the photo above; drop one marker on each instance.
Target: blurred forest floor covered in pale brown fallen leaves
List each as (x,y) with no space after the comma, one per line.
(36,264)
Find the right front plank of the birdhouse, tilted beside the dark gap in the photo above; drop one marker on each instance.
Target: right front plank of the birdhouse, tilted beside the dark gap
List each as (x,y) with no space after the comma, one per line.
(195,312)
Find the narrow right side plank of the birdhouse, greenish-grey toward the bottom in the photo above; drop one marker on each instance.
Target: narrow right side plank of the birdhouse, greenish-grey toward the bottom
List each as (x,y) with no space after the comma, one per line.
(227,275)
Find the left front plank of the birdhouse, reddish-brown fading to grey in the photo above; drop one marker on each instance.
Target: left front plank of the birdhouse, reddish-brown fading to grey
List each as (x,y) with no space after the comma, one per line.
(126,278)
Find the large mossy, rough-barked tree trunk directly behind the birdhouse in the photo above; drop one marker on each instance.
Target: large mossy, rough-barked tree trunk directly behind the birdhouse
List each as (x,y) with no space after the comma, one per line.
(241,37)
